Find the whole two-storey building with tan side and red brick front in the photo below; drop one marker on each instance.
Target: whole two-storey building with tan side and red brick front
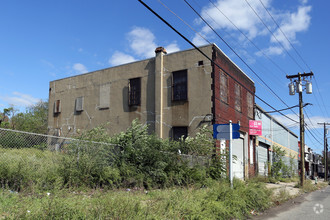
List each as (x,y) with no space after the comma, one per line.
(175,94)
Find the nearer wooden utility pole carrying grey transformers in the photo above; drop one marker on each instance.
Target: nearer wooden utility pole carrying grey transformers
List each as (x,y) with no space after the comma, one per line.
(299,90)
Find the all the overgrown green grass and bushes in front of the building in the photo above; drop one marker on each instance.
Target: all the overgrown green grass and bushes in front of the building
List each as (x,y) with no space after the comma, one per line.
(86,181)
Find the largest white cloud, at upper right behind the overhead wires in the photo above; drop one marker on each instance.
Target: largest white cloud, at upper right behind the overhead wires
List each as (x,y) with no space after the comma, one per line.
(224,13)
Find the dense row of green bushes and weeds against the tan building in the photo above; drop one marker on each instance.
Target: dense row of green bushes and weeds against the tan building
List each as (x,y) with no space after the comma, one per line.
(130,159)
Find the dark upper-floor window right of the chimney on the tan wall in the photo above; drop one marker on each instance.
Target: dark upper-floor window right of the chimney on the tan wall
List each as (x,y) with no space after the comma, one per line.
(179,86)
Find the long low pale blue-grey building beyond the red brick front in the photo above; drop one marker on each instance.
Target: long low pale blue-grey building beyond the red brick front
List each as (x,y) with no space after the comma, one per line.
(275,134)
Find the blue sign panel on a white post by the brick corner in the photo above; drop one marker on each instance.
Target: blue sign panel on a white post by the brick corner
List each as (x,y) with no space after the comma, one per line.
(222,131)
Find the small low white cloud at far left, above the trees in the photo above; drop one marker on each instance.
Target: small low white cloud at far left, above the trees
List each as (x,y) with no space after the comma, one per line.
(20,99)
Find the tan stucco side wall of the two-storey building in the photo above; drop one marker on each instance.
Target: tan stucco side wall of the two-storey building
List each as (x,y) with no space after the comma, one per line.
(119,115)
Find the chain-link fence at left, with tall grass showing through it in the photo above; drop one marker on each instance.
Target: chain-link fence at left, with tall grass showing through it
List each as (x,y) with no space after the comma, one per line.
(29,160)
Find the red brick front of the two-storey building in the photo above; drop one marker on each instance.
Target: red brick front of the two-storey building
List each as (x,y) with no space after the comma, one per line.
(237,94)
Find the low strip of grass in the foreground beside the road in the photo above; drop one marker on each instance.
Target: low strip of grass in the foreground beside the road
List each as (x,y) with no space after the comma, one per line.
(216,202)
